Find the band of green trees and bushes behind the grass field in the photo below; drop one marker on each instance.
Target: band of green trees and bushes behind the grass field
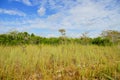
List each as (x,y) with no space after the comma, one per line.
(108,37)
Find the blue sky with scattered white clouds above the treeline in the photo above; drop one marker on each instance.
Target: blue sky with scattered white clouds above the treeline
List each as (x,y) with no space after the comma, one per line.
(46,17)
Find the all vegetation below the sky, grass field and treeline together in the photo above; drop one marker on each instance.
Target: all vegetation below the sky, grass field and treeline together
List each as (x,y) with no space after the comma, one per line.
(60,58)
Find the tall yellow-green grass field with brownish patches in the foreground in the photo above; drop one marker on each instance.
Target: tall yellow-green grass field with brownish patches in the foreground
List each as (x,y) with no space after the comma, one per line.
(61,62)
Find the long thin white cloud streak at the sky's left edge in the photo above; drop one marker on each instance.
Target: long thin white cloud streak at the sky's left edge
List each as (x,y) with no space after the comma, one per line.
(12,12)
